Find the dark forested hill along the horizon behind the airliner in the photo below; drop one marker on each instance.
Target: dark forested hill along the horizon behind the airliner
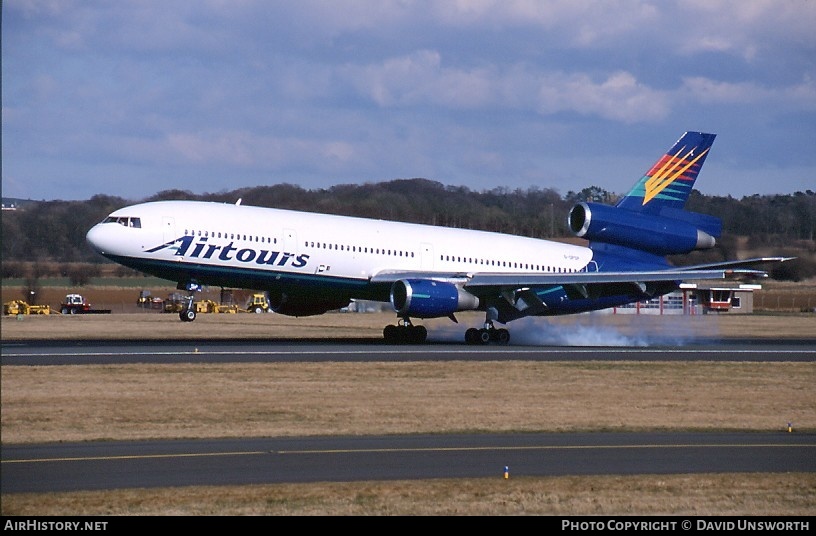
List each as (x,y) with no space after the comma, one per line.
(54,231)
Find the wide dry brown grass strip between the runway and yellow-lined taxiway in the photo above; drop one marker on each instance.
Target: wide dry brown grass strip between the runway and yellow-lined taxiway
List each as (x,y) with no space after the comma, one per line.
(95,402)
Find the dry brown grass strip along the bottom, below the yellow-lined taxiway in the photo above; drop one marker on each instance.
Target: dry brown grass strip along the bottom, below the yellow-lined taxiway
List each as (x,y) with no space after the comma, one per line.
(773,495)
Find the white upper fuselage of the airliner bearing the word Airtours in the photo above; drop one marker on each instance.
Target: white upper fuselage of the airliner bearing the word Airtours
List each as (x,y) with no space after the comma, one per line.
(286,241)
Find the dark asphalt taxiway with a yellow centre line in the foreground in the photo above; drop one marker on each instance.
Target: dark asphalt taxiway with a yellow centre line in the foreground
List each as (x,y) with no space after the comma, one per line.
(146,464)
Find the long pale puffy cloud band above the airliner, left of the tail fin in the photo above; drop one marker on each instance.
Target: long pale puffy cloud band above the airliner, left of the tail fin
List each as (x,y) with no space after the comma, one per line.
(420,79)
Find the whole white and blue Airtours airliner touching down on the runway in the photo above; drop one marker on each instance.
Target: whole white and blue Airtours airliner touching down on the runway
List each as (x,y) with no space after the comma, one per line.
(312,263)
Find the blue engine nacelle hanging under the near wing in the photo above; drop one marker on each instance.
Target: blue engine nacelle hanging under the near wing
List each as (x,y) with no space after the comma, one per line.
(426,298)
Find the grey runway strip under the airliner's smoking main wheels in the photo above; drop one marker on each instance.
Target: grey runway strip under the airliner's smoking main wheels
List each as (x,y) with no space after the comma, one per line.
(367,350)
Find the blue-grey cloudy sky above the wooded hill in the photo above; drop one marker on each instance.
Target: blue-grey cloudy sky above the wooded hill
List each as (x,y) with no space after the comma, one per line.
(133,98)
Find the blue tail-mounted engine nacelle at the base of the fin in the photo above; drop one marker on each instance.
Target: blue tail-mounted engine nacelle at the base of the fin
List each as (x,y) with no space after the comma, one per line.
(645,232)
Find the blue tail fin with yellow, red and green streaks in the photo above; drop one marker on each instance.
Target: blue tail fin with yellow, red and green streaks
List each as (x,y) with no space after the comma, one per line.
(668,183)
